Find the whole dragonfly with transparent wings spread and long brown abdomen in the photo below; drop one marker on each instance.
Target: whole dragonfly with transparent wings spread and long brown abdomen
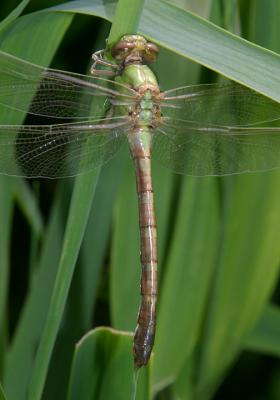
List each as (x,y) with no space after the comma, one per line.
(203,130)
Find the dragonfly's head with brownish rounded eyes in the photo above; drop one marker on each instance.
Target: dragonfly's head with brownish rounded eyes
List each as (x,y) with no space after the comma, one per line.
(134,49)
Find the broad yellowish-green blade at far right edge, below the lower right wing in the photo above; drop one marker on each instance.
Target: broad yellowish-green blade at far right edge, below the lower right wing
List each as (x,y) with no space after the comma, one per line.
(246,272)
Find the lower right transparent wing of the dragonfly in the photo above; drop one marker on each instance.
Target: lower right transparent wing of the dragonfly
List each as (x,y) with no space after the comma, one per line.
(203,150)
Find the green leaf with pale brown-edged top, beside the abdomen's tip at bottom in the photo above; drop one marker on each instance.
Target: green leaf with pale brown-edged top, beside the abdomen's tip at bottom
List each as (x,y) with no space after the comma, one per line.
(103,368)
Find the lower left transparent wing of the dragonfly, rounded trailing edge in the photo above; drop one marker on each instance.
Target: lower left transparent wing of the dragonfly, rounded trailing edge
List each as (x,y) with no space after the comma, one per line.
(62,150)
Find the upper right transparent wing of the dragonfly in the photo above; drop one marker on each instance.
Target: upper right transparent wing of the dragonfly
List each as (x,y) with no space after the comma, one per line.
(219,104)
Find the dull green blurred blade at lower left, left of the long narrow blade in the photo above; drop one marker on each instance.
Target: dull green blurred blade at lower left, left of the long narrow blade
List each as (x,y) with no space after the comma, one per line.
(20,357)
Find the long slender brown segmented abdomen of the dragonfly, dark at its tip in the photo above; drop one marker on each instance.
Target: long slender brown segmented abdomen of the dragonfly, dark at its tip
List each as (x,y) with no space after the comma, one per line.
(140,146)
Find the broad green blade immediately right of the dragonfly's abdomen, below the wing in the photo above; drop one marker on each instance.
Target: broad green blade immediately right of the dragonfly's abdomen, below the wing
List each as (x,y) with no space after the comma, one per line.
(187,275)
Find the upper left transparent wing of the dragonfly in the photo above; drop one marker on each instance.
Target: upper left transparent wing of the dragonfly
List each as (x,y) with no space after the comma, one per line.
(30,88)
